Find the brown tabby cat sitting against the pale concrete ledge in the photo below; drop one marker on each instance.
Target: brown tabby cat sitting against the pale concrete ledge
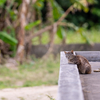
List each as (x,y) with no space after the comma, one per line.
(82,63)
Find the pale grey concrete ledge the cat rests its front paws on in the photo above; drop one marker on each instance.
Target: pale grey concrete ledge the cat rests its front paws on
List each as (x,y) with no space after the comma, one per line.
(69,85)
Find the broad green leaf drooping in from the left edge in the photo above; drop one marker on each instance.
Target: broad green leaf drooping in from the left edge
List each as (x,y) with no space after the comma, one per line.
(7,38)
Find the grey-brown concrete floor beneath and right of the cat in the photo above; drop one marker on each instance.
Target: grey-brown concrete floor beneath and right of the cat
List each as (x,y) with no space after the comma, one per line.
(91,83)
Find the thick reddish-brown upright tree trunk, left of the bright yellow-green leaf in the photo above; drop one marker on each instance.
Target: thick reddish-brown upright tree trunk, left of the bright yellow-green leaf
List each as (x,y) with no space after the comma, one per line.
(20,32)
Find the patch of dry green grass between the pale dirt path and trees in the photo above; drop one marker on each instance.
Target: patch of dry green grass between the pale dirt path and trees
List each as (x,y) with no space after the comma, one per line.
(39,72)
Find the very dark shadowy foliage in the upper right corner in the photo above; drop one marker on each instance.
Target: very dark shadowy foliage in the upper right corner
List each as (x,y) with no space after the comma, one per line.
(88,15)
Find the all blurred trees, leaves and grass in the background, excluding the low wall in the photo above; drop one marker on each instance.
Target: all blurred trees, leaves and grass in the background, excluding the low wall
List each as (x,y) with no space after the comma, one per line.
(24,23)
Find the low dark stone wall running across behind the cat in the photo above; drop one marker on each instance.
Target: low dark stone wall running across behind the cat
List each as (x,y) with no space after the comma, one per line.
(40,50)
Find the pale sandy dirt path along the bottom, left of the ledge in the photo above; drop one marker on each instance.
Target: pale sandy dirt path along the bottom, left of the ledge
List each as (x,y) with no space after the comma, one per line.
(29,93)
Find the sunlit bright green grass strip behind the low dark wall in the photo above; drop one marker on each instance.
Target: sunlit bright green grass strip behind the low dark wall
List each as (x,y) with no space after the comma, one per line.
(72,37)
